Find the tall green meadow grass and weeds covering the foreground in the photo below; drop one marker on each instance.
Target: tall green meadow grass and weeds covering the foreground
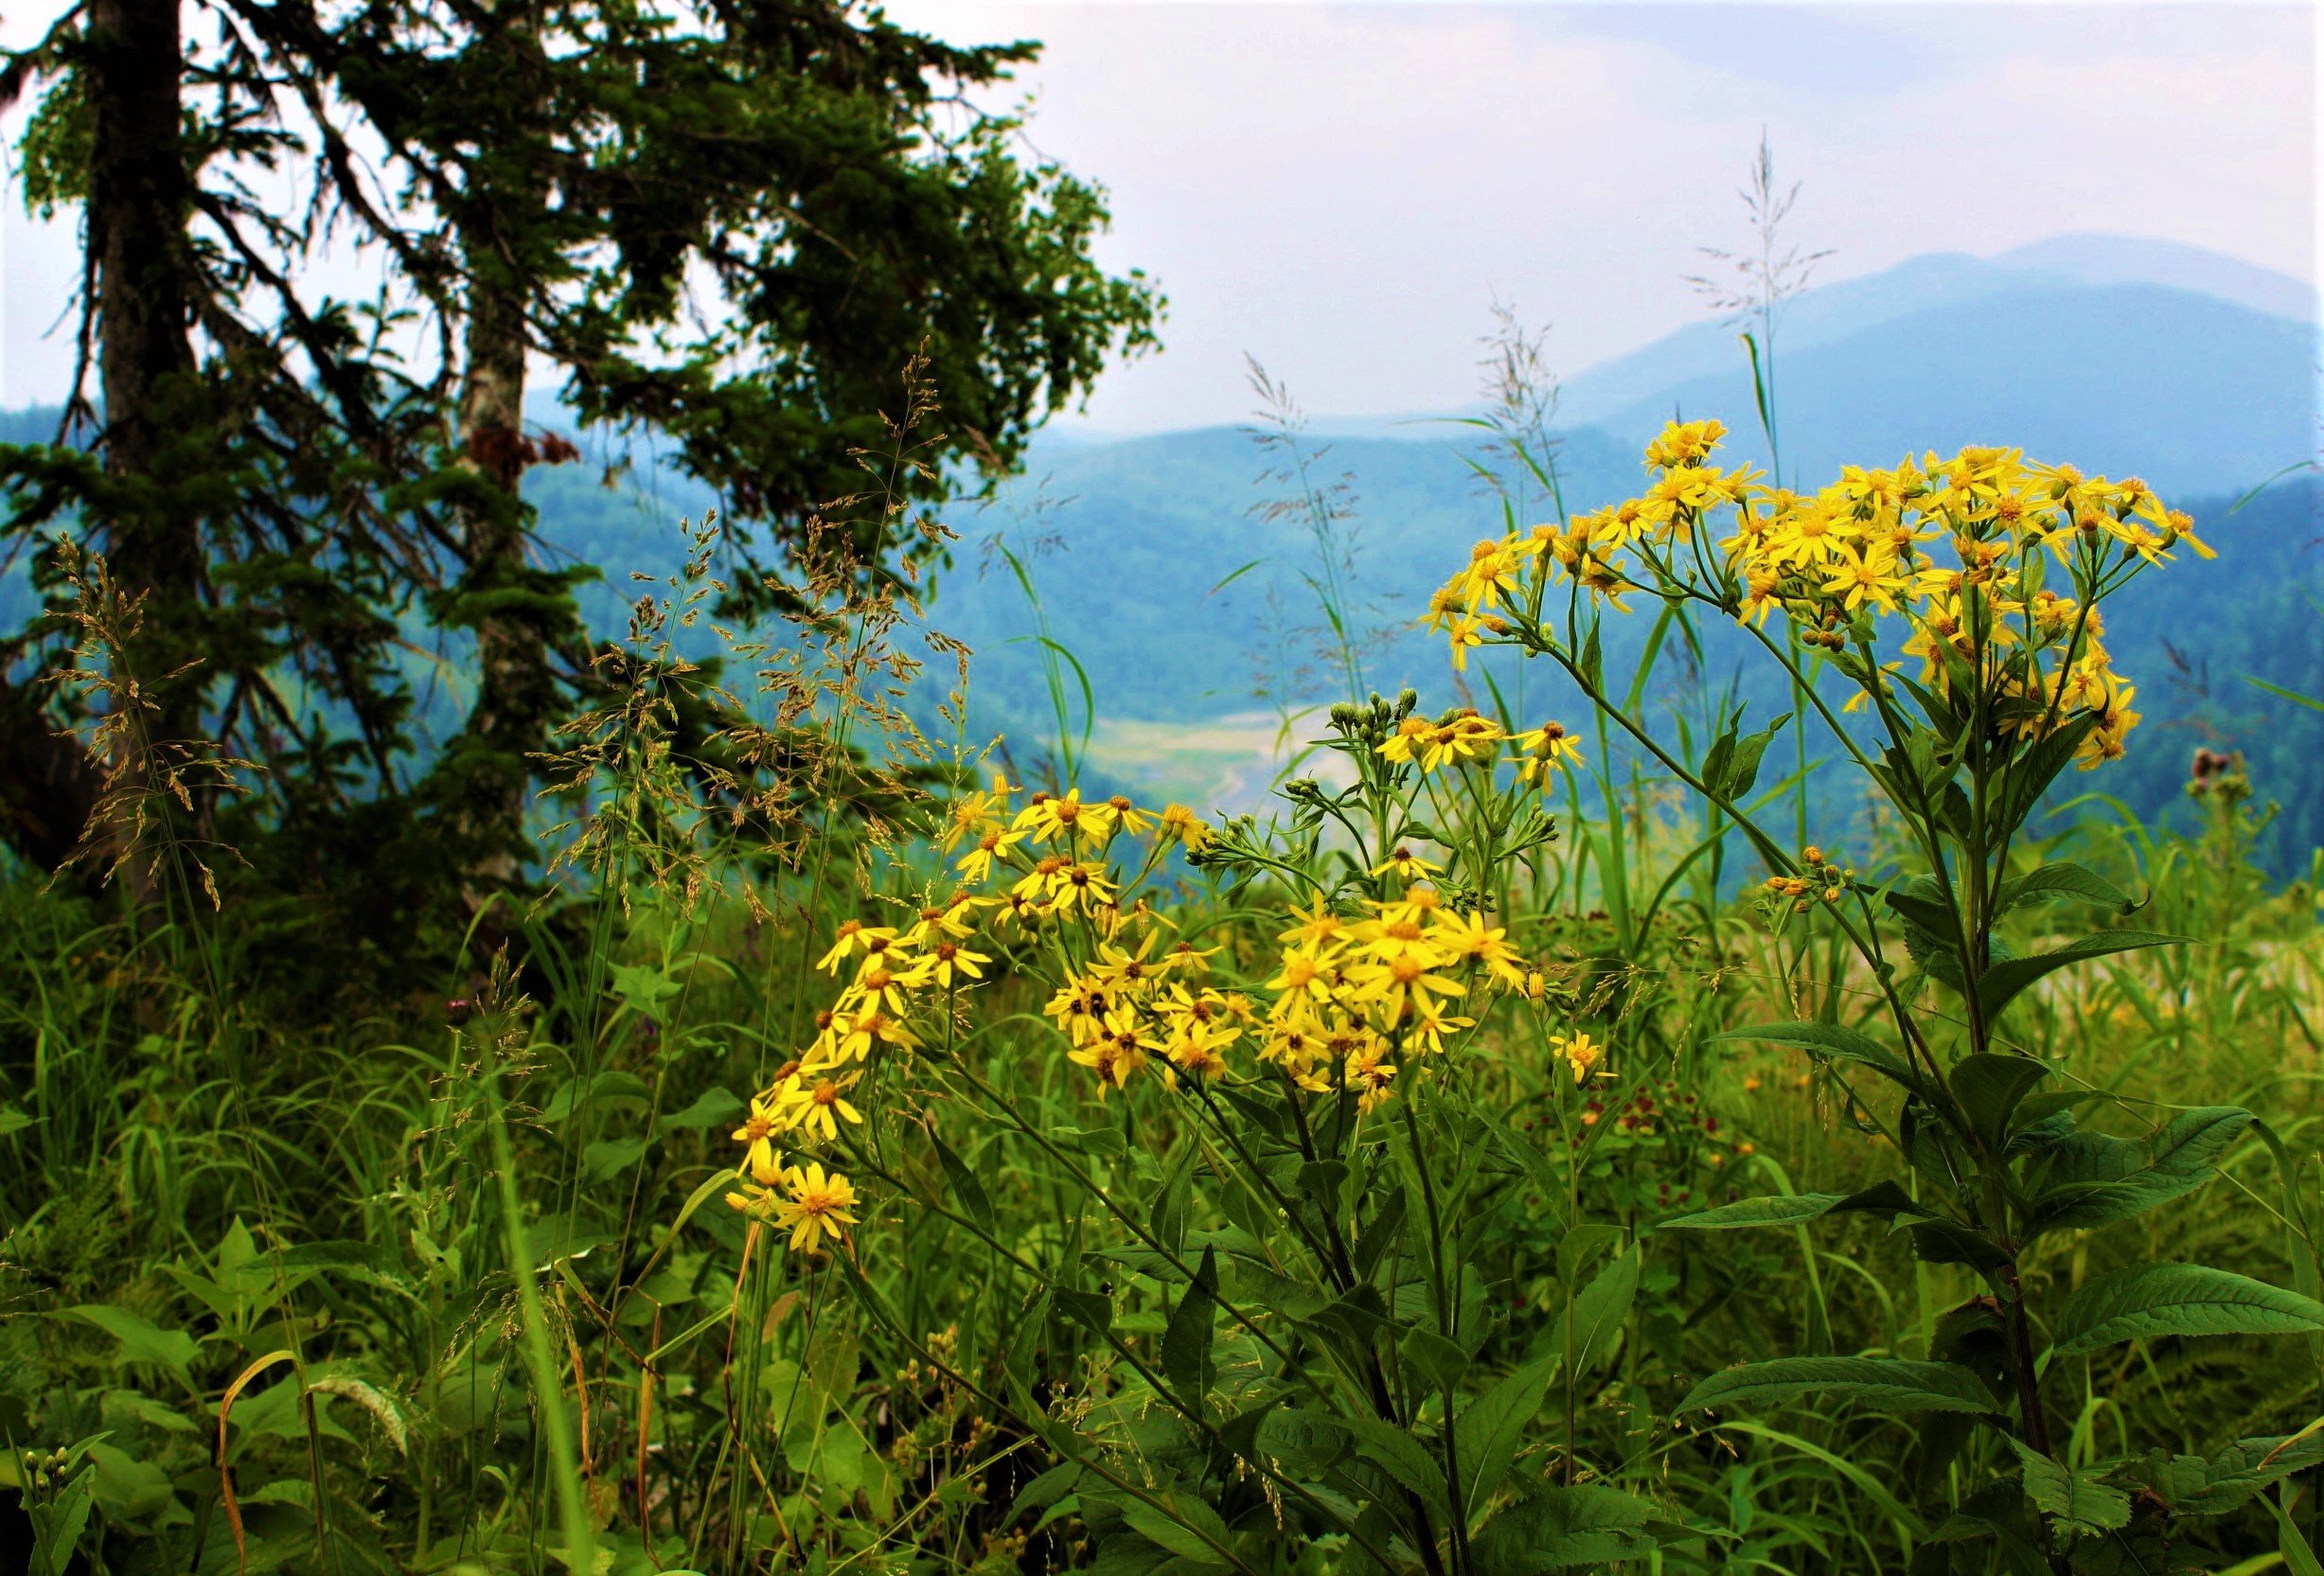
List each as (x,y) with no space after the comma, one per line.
(471,1275)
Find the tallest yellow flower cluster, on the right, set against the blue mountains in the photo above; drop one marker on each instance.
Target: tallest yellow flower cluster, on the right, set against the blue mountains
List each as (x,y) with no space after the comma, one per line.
(1953,547)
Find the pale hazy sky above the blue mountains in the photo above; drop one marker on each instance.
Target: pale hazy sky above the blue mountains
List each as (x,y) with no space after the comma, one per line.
(1344,189)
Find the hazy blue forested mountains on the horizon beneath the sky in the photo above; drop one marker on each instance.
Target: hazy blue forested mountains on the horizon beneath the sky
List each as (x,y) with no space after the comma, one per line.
(2121,357)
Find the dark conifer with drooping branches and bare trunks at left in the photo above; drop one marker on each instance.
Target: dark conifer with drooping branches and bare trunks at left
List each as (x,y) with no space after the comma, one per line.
(726,224)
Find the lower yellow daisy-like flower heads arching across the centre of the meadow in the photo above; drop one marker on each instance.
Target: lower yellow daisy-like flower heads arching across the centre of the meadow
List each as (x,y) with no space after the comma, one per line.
(1052,894)
